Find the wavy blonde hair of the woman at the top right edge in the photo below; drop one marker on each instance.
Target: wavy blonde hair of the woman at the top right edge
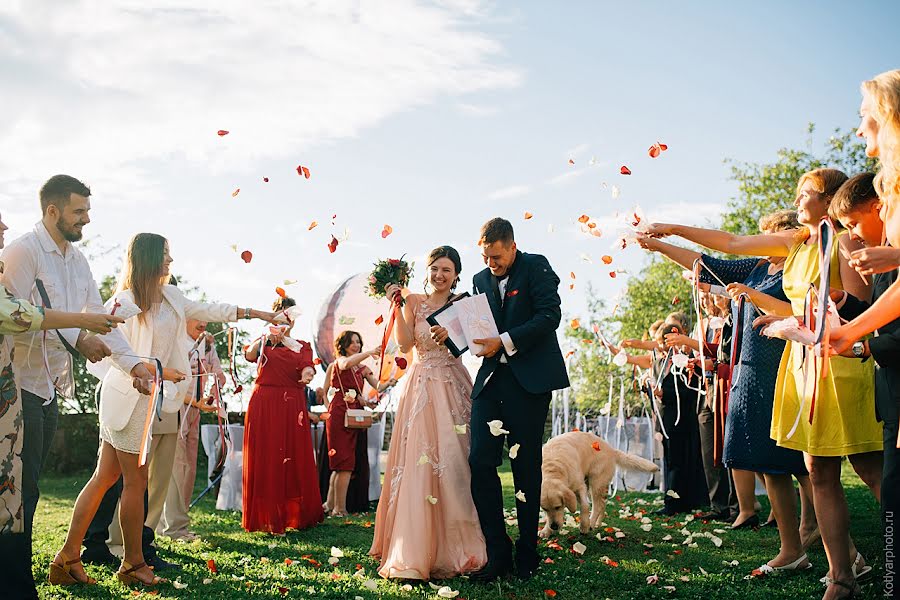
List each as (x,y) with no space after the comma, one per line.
(884,91)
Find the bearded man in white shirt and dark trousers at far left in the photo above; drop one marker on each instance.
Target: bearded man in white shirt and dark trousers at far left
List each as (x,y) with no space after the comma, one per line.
(44,267)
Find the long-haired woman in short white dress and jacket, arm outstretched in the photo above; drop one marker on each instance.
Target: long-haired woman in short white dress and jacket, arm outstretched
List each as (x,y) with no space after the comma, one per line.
(158,331)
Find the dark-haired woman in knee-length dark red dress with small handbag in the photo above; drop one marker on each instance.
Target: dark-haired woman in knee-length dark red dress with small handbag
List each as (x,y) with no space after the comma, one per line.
(346,378)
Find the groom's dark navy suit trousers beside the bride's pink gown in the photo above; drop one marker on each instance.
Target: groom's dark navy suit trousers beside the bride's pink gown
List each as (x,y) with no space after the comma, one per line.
(523,415)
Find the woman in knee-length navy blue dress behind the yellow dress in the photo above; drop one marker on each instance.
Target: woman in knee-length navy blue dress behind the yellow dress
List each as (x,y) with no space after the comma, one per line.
(748,447)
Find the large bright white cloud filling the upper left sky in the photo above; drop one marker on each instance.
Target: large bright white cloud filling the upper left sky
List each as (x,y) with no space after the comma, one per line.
(113,91)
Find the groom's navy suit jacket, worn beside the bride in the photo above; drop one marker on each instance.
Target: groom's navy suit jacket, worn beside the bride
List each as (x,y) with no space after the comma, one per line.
(530,314)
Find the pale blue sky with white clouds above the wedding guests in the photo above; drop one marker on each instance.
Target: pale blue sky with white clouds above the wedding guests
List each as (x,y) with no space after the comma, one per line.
(430,117)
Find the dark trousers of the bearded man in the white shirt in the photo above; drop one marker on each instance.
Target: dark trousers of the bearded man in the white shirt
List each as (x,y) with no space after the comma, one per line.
(39,427)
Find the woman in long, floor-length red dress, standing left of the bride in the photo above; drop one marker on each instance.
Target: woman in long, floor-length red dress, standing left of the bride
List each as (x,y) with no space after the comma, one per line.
(281,490)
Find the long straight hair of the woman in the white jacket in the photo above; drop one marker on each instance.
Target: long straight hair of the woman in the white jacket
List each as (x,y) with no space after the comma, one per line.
(142,272)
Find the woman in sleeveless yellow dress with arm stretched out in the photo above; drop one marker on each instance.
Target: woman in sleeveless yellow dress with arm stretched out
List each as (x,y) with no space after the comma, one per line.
(844,422)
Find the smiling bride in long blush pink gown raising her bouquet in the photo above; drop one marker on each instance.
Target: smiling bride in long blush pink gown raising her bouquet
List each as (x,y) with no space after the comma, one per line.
(426,526)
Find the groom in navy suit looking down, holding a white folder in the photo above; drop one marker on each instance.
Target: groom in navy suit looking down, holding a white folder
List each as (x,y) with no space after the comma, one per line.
(520,369)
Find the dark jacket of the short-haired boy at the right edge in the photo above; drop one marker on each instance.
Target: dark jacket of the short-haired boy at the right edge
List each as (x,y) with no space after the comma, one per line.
(885,349)
